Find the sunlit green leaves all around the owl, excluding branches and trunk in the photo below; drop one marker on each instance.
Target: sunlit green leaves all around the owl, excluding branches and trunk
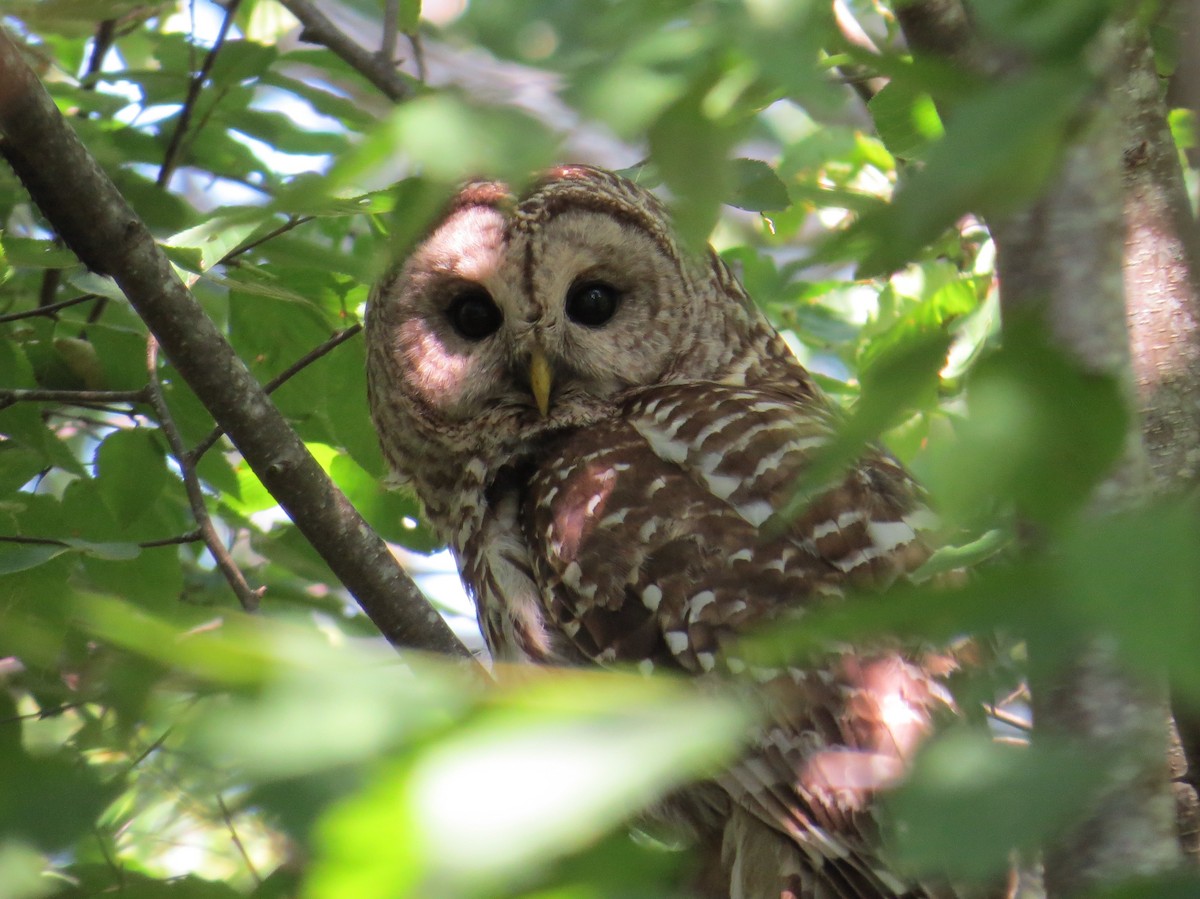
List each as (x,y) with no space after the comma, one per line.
(158,740)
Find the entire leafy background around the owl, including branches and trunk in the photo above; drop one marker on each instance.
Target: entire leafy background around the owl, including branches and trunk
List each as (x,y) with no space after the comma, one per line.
(217,680)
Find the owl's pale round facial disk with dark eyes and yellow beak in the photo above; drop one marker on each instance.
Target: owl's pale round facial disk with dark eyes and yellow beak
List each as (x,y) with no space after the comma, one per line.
(539,327)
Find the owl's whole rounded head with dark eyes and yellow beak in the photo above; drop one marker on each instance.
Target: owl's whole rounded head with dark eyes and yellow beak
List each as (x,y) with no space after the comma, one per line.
(517,317)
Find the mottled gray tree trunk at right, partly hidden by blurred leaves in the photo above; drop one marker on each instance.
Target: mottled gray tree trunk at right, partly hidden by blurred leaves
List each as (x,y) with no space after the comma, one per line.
(1070,261)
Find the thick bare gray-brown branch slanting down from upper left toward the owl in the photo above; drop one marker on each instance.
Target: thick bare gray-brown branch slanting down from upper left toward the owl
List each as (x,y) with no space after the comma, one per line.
(95,221)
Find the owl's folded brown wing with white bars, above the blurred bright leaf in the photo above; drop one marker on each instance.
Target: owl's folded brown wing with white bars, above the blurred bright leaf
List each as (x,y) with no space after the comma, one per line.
(649,532)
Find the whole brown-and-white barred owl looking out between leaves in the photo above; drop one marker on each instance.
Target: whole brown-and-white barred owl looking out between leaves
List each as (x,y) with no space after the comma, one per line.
(602,425)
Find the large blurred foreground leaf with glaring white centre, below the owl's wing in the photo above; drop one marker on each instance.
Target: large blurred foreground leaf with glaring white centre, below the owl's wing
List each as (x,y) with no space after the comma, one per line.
(478,810)
